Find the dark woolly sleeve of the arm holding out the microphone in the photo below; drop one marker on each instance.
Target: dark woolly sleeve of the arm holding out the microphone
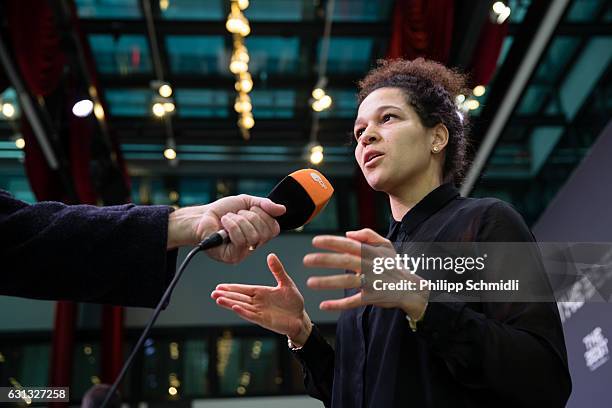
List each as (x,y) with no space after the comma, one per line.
(115,255)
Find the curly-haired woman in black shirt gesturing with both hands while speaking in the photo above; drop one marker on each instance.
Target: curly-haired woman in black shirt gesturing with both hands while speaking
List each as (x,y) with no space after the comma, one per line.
(412,350)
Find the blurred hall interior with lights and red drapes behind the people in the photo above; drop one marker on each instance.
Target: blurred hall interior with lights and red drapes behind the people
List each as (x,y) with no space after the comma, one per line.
(157,102)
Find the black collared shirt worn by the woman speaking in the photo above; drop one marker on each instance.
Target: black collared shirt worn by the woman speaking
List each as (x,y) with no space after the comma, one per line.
(463,354)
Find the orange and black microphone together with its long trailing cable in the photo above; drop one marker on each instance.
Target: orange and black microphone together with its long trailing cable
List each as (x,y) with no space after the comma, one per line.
(304,193)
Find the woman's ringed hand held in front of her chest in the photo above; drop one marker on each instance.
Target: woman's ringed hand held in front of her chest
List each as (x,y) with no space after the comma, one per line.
(357,252)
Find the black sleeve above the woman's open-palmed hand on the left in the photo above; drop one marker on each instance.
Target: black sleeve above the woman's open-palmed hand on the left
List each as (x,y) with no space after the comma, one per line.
(317,360)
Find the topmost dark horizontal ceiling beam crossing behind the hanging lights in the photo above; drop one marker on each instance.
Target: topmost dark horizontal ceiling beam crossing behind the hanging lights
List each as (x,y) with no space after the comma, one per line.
(217,27)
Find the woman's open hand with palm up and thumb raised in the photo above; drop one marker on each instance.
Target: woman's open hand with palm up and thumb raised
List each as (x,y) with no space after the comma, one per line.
(279,308)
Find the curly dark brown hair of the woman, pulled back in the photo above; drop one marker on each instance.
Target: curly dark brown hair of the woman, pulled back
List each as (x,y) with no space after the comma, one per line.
(430,89)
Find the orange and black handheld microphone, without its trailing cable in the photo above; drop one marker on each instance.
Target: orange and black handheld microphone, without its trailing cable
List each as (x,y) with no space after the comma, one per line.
(304,193)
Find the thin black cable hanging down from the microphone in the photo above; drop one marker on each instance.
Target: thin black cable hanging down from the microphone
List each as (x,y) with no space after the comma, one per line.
(211,241)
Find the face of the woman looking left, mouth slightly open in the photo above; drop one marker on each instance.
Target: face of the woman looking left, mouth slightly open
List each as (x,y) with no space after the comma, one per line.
(393,147)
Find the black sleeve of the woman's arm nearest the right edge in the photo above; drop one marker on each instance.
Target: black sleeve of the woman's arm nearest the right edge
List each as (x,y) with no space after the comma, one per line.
(510,351)
